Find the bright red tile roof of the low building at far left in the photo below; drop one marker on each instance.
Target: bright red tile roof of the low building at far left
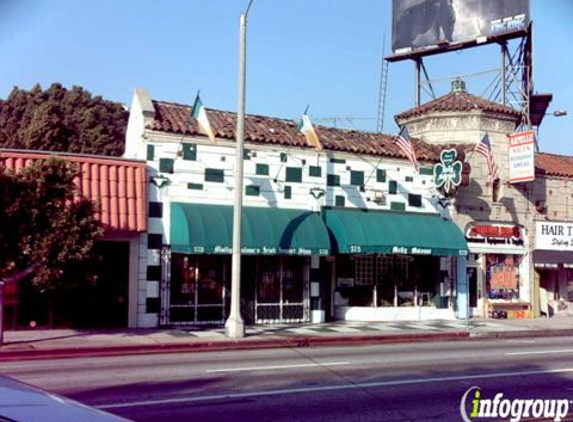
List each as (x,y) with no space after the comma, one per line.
(117,185)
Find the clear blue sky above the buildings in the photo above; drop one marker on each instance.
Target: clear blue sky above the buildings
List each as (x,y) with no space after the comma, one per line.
(326,53)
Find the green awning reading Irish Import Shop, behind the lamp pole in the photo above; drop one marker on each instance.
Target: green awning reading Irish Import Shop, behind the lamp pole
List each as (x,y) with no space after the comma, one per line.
(208,229)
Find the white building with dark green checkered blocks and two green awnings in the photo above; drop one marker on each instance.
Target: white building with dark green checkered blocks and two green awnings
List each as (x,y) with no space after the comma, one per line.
(346,229)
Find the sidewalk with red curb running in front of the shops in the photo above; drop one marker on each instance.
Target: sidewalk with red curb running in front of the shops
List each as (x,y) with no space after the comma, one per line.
(41,343)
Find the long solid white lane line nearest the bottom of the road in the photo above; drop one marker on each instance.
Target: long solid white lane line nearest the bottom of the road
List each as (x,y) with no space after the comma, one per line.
(282,392)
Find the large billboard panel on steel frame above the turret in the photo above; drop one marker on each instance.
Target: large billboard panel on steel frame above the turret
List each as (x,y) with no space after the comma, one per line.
(422,24)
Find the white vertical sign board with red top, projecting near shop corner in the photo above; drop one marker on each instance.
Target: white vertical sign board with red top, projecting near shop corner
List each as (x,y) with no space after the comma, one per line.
(522,157)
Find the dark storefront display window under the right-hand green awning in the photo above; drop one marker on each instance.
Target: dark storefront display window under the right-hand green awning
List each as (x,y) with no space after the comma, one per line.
(387,280)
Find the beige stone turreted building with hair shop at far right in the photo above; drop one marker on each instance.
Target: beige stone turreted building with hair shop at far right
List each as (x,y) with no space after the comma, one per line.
(517,234)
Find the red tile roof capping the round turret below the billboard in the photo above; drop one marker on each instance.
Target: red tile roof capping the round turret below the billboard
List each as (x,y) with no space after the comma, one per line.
(458,102)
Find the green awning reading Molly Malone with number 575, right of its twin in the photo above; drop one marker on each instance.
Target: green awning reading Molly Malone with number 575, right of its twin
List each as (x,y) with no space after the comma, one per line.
(364,231)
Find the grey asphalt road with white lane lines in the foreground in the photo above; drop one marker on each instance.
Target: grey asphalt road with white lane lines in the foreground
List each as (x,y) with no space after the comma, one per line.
(399,382)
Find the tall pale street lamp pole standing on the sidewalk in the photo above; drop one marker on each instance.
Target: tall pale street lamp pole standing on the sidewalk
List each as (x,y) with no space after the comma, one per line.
(235,326)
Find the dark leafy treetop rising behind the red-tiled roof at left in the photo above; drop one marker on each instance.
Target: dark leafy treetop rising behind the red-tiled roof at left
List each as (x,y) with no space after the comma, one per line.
(59,119)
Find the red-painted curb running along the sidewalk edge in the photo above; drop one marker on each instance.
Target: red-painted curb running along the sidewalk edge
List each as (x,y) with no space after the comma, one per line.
(227,345)
